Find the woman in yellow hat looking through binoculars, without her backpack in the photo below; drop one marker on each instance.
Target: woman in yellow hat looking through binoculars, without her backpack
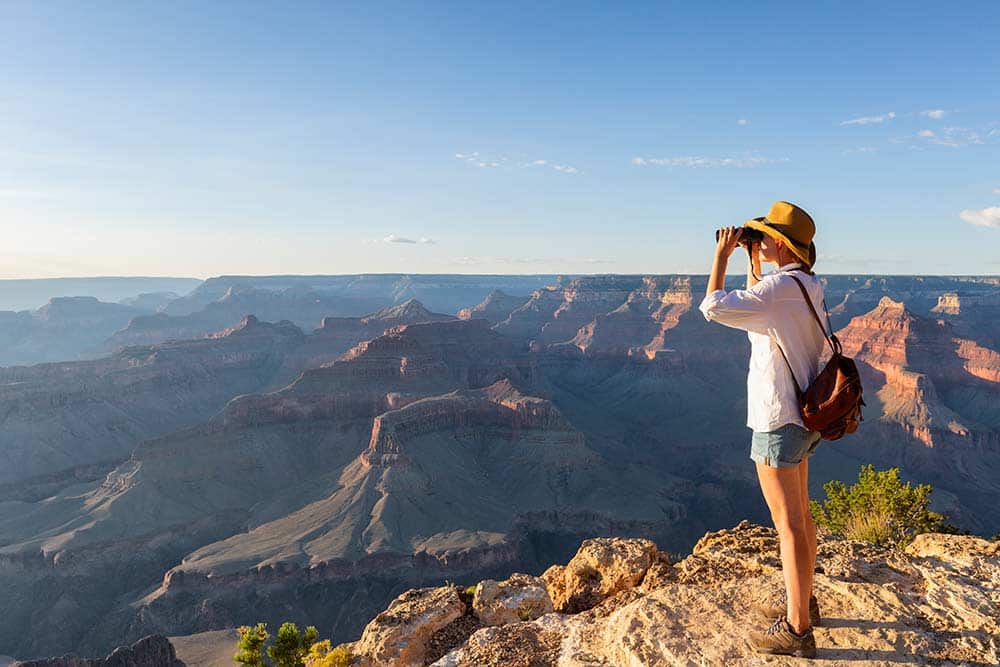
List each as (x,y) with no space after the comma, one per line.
(773,310)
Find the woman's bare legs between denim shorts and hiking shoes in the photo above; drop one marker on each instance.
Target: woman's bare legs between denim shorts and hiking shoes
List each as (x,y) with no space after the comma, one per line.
(782,488)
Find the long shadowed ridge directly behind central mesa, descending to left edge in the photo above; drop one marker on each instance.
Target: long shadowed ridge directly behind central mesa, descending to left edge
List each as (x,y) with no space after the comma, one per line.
(260,459)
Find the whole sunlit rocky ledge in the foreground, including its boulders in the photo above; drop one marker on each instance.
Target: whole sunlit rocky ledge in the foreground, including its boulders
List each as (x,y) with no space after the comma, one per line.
(624,602)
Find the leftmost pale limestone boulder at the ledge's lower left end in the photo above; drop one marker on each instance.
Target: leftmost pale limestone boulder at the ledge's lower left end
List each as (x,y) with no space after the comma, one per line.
(398,636)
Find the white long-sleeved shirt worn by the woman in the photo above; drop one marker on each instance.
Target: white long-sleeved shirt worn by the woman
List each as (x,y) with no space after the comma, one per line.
(774,309)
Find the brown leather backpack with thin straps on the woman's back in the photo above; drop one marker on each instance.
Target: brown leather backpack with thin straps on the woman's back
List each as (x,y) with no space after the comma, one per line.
(832,403)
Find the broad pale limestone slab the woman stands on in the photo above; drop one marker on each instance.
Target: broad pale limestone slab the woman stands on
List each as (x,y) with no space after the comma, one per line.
(935,603)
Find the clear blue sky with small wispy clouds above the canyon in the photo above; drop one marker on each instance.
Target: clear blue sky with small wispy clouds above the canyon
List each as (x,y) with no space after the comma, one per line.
(199,139)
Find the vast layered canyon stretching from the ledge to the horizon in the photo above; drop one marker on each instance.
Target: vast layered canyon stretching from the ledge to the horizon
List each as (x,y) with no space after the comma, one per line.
(259,472)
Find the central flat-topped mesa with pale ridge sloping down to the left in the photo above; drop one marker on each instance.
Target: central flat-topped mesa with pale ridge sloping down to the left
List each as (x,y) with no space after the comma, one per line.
(453,484)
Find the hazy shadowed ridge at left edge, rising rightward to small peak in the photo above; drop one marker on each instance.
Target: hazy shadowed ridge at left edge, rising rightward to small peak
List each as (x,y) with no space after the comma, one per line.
(62,419)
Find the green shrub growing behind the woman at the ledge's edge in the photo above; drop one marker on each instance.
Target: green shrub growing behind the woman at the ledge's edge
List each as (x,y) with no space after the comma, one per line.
(878,509)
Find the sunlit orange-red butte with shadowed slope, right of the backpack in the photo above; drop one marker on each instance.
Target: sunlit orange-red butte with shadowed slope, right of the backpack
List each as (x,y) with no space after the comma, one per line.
(933,408)
